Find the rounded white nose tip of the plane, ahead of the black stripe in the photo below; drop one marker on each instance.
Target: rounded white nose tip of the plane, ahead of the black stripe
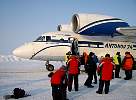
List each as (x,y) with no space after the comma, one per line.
(24,51)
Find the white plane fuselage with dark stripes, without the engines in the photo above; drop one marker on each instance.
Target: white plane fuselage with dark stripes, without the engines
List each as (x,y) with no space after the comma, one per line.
(53,46)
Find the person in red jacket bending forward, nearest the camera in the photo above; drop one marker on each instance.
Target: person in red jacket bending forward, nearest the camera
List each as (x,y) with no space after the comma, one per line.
(59,84)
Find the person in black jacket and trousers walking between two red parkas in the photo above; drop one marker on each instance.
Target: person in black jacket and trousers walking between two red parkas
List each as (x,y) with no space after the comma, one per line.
(90,69)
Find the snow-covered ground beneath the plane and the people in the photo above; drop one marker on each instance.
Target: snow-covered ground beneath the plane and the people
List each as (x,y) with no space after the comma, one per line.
(32,77)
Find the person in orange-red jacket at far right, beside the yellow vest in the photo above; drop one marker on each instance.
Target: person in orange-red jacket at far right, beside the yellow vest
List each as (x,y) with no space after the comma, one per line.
(127,64)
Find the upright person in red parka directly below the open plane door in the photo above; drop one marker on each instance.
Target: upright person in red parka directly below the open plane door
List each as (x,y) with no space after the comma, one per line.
(73,71)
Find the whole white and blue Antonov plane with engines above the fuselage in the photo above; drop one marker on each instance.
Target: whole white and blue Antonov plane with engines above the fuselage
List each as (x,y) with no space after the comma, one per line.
(88,32)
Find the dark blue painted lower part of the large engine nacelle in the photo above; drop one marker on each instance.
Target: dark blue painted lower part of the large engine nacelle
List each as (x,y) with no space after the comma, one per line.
(104,29)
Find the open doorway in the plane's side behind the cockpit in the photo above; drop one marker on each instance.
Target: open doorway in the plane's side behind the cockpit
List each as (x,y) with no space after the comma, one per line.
(74,46)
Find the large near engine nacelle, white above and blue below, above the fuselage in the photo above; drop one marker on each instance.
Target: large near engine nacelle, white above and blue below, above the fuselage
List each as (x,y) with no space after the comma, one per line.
(95,24)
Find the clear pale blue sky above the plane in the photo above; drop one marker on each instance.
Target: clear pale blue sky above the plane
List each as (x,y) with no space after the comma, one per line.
(24,20)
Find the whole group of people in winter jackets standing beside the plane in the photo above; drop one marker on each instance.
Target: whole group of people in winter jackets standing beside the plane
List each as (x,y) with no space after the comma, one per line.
(104,67)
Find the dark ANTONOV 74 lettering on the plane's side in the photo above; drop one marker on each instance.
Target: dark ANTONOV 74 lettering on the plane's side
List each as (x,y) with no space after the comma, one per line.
(121,46)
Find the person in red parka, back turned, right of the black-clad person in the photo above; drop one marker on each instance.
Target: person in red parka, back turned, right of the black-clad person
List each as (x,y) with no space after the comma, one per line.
(105,70)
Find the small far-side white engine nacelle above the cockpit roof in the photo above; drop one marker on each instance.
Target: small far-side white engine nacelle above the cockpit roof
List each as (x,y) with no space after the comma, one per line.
(65,28)
